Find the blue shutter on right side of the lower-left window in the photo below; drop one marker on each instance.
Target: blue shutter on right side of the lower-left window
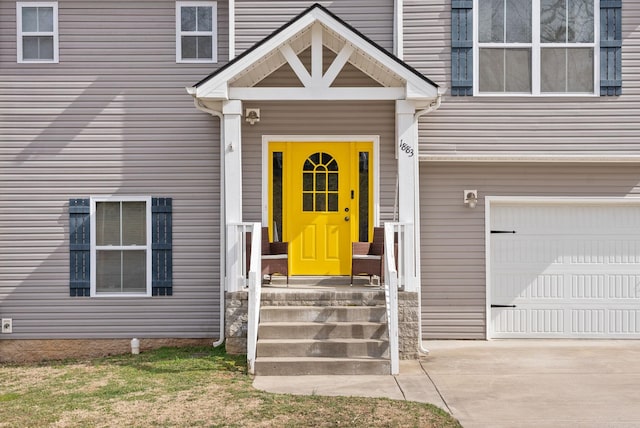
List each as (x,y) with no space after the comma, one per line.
(161,266)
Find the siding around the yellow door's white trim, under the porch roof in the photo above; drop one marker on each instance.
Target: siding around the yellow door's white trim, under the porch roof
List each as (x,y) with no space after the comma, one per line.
(318,119)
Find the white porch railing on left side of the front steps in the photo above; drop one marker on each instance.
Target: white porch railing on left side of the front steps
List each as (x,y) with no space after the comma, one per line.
(237,234)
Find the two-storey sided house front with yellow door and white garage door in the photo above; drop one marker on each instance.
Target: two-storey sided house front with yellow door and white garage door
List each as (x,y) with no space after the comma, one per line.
(136,135)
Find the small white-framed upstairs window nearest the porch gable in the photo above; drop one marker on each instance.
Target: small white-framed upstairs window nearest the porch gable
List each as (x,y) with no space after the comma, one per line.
(196,32)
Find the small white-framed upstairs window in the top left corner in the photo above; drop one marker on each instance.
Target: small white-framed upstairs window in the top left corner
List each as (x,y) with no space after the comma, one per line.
(37,25)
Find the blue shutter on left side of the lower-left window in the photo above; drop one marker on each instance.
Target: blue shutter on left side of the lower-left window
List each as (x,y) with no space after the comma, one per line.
(79,248)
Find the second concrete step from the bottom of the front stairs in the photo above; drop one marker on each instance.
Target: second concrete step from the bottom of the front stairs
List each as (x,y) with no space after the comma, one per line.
(335,348)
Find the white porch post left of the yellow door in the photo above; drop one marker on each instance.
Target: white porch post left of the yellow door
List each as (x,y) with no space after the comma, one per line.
(232,113)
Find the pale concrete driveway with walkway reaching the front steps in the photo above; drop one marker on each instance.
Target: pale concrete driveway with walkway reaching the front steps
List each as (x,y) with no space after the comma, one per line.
(514,383)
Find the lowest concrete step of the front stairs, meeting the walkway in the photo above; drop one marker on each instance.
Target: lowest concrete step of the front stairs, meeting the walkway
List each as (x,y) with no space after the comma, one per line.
(289,366)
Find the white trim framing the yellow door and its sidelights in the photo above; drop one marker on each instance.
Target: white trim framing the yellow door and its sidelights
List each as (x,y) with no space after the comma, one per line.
(266,139)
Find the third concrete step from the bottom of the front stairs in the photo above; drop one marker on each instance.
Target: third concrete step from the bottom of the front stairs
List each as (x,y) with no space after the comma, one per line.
(328,330)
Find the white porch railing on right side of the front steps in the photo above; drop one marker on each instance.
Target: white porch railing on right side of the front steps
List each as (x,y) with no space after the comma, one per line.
(397,252)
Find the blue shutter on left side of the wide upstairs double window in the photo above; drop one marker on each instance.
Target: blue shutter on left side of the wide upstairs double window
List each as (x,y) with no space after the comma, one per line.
(462,47)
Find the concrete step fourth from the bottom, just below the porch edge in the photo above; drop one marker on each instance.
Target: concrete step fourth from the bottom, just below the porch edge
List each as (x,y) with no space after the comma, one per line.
(322,314)
